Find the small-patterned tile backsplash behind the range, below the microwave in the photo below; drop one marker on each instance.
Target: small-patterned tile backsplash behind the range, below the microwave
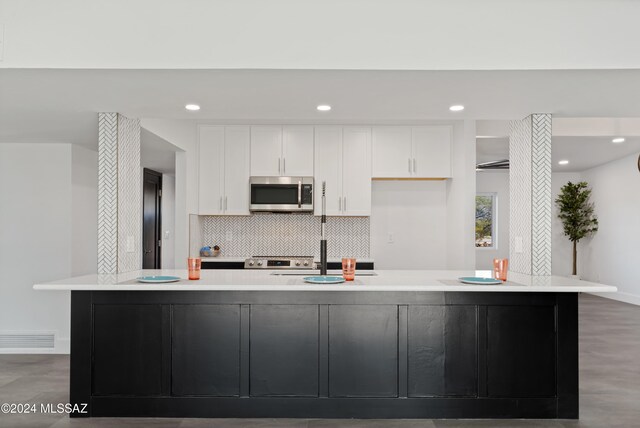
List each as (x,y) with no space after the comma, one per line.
(286,235)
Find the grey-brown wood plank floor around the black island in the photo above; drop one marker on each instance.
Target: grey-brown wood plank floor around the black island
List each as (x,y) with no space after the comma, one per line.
(609,385)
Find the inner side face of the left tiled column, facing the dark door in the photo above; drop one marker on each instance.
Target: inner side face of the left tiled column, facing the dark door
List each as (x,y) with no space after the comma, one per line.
(129,194)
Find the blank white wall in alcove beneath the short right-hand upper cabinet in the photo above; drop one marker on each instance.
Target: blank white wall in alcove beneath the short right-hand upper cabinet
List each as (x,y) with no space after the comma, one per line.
(415,214)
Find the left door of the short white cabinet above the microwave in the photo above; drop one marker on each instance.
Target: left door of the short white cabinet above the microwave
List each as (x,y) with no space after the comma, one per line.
(266,150)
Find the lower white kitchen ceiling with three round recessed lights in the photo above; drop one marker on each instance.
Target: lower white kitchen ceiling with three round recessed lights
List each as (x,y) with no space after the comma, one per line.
(40,105)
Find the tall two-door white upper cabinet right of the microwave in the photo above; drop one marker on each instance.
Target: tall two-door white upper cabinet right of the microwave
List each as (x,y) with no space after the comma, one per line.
(343,161)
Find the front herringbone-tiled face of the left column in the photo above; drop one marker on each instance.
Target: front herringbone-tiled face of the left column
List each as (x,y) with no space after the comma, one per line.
(107,193)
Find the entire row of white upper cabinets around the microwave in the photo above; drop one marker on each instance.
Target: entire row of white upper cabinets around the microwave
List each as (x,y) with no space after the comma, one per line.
(345,157)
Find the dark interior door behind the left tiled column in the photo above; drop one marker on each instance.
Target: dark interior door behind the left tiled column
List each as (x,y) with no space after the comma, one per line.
(151,228)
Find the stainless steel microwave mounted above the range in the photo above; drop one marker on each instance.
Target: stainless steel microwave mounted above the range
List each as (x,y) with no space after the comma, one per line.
(281,194)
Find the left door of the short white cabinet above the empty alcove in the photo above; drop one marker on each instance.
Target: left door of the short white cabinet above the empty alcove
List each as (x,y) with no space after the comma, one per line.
(391,146)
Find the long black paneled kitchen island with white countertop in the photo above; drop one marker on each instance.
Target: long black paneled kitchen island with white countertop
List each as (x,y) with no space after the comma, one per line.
(401,344)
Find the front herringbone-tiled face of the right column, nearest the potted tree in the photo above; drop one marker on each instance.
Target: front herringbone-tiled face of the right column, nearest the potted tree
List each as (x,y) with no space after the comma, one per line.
(541,205)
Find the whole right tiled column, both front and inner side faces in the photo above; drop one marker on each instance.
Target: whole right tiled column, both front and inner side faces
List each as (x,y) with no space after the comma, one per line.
(530,194)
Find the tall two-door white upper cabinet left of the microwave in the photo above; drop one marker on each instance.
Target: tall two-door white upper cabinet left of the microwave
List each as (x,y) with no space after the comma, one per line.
(224,170)
